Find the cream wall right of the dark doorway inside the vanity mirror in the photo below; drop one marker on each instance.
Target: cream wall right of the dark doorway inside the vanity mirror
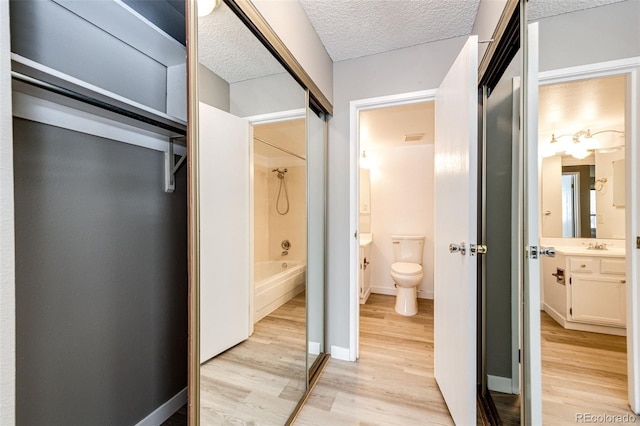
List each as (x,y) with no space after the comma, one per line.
(612,222)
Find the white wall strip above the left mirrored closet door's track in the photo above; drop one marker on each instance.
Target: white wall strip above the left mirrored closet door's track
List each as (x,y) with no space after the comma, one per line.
(290,22)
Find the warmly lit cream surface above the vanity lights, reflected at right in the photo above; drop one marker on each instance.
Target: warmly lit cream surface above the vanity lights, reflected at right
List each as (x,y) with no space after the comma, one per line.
(594,104)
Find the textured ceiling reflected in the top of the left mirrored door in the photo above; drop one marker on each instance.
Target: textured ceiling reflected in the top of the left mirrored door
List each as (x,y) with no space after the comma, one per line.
(230,50)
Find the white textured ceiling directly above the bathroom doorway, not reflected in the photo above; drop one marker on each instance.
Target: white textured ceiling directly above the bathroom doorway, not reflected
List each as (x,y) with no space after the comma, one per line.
(354,28)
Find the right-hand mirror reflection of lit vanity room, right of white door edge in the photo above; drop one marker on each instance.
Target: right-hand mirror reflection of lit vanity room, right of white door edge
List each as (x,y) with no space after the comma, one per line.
(585,91)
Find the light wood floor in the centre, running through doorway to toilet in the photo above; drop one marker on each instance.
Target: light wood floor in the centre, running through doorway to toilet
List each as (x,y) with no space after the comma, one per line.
(392,383)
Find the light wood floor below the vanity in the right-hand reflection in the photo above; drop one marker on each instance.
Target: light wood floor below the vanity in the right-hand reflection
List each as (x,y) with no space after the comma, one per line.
(582,372)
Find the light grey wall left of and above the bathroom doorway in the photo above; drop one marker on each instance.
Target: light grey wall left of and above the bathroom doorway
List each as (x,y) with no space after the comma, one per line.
(405,70)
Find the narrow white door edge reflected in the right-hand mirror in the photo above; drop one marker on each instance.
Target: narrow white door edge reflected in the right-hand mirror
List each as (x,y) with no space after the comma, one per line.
(531,361)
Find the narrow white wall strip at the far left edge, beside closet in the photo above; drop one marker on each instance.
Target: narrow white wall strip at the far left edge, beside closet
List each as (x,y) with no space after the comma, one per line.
(7,254)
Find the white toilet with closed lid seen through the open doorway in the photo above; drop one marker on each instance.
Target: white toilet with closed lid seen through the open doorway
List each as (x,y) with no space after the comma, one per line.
(406,271)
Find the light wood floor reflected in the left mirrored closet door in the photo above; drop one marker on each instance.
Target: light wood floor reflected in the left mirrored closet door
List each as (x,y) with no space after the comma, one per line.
(261,380)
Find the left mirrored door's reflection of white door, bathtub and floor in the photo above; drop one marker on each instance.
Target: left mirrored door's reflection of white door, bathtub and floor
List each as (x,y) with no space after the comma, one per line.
(252,275)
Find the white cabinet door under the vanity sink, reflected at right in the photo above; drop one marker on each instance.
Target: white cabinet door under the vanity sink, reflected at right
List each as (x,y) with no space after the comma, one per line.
(598,300)
